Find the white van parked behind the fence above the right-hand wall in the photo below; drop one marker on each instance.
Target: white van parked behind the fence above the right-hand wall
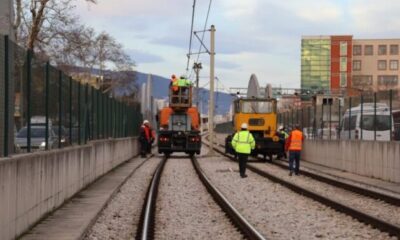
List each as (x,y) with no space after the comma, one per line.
(353,127)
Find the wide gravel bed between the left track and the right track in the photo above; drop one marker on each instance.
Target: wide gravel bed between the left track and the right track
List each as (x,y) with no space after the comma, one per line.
(279,213)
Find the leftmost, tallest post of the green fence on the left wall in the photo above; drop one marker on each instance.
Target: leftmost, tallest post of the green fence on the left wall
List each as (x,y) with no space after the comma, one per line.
(6,95)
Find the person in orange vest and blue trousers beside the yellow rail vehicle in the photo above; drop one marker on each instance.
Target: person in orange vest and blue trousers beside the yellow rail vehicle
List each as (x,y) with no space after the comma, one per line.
(294,145)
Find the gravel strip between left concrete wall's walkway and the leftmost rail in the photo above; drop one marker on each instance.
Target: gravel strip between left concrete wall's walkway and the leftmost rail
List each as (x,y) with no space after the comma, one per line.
(119,220)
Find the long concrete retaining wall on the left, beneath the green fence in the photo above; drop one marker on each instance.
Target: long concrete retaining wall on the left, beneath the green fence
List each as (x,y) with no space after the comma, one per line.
(32,185)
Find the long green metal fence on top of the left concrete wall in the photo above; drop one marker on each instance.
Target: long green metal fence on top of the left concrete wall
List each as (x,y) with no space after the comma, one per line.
(43,108)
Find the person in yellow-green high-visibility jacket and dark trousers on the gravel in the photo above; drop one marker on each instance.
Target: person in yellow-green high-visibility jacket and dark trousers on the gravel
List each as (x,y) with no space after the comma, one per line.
(243,142)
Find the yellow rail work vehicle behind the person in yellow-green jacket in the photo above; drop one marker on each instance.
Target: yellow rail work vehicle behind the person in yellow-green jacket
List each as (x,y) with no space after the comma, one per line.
(261,118)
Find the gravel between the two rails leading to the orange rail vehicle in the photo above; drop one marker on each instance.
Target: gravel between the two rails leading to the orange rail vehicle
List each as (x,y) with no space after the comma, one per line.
(185,210)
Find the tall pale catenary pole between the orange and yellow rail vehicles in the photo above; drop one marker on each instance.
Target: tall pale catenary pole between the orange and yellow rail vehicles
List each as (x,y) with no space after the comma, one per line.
(211,103)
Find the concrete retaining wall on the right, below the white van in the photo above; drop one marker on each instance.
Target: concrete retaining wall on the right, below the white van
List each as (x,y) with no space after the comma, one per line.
(368,158)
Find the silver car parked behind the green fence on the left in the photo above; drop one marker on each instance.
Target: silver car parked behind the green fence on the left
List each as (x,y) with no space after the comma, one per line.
(38,139)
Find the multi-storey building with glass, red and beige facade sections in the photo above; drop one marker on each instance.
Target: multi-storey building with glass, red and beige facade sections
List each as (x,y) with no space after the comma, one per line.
(338,63)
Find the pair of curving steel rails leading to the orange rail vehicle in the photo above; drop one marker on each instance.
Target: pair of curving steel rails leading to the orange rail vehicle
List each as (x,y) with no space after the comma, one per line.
(147,224)
